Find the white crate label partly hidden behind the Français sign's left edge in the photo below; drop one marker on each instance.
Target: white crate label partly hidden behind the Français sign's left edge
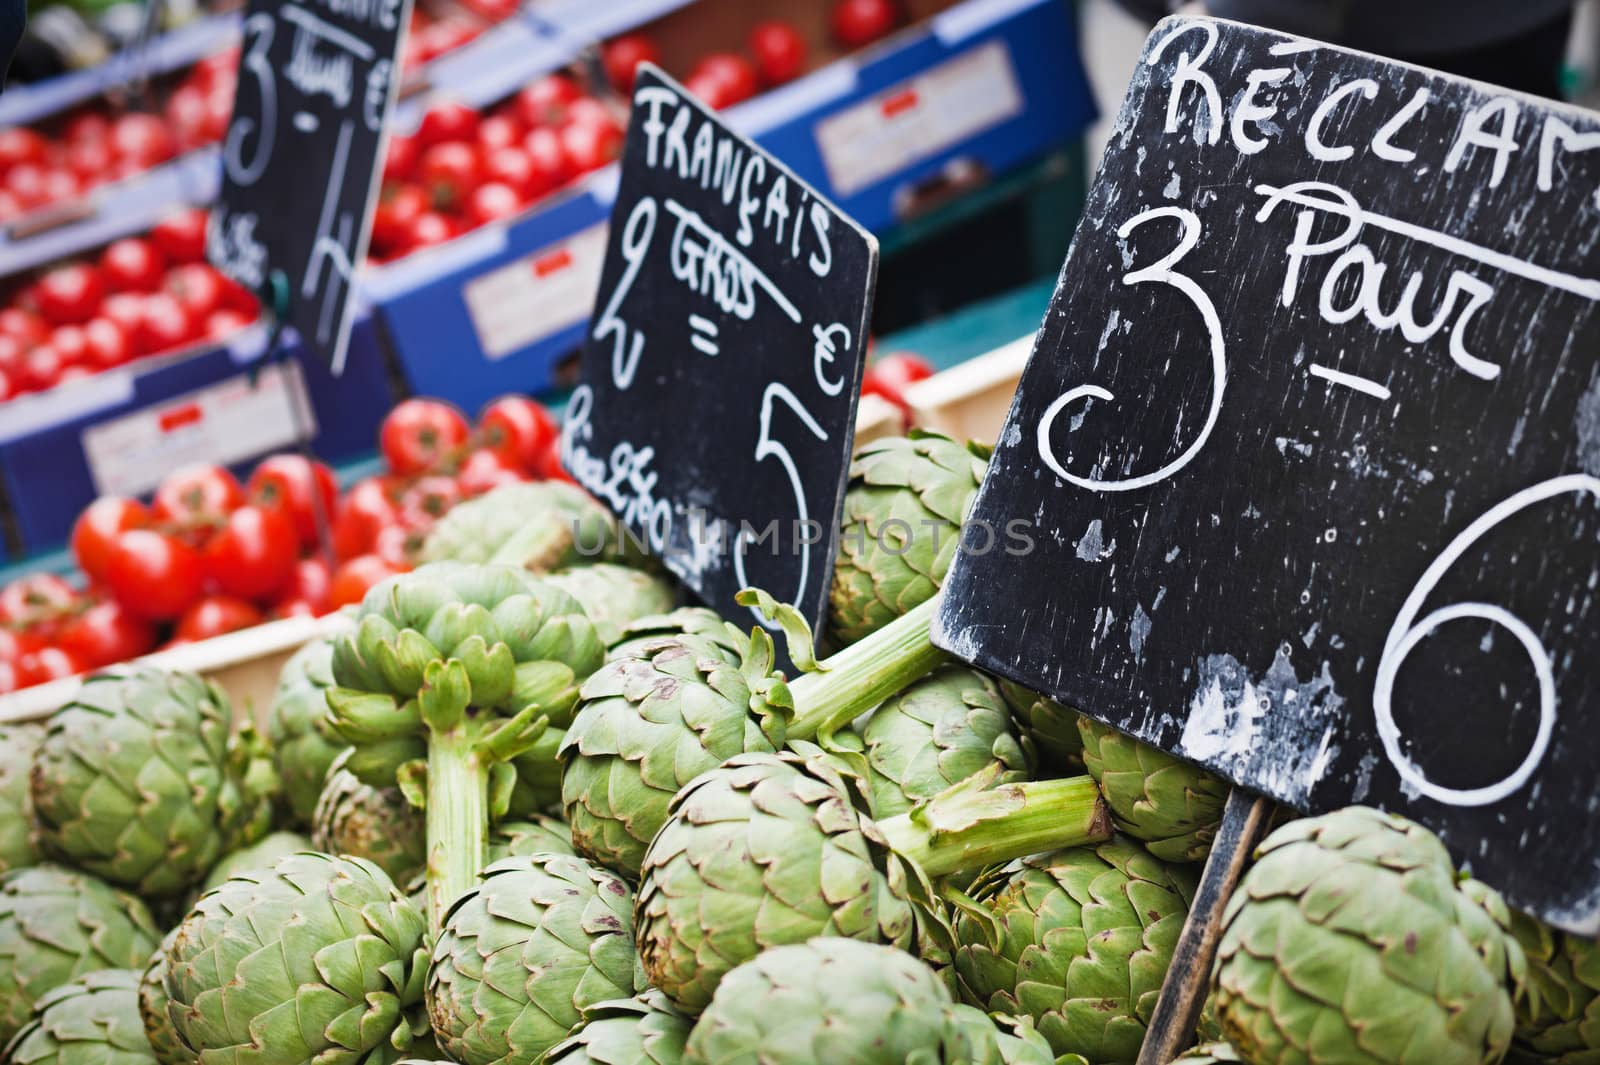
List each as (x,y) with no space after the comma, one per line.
(535,297)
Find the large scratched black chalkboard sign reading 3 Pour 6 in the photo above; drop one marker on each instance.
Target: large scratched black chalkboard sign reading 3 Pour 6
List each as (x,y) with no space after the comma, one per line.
(1303,477)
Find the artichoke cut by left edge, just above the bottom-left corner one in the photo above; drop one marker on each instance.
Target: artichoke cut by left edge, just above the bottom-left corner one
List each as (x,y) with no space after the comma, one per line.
(57,925)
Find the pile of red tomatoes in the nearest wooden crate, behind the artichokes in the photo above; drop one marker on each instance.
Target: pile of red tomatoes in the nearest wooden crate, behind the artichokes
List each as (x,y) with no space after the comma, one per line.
(210,556)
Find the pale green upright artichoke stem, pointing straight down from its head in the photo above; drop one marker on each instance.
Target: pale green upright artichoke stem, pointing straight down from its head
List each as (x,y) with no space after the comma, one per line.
(458,816)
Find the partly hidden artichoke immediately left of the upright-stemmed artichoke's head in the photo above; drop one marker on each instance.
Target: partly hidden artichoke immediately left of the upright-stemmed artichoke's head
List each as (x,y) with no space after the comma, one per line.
(302,751)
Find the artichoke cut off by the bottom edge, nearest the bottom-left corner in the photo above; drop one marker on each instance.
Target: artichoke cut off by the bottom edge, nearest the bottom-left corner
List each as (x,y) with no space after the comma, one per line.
(94,1021)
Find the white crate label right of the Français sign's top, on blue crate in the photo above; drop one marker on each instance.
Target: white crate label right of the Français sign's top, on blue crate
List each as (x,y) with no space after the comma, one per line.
(919,118)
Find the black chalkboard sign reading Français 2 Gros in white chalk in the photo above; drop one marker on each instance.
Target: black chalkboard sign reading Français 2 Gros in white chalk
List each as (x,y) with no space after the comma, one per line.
(722,367)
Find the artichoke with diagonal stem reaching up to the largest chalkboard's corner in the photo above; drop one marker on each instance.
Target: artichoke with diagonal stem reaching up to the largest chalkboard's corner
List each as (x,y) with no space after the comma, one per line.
(654,722)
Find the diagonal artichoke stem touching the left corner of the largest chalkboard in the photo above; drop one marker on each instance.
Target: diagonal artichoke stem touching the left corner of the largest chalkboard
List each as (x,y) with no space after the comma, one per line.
(865,674)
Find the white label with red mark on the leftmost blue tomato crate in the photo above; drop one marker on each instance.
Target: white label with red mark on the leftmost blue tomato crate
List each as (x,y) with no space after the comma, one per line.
(225,423)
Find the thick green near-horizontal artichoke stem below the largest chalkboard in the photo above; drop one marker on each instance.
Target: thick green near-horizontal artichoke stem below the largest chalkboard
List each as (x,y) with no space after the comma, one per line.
(972,828)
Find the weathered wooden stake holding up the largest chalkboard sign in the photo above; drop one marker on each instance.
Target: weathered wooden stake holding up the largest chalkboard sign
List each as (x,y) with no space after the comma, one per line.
(1183,992)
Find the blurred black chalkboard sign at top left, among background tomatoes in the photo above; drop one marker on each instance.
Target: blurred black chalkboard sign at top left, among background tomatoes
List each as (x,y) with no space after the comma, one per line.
(302,154)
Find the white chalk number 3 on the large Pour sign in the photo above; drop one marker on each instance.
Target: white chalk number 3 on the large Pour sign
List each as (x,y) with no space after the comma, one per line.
(1161,273)
